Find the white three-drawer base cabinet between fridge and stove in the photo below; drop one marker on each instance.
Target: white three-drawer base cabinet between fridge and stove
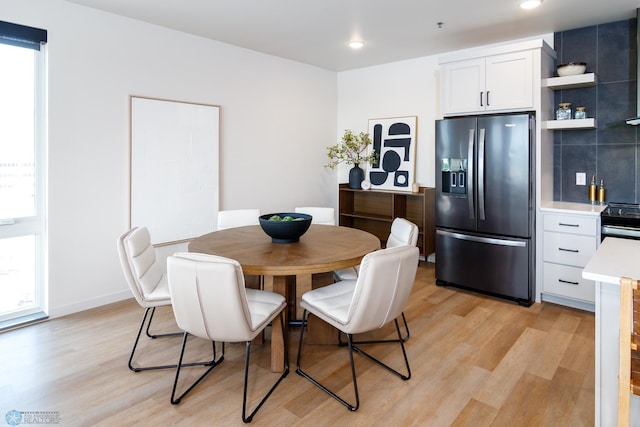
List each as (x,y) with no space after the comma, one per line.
(570,240)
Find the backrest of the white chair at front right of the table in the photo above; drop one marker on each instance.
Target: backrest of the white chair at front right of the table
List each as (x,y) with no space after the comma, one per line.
(383,287)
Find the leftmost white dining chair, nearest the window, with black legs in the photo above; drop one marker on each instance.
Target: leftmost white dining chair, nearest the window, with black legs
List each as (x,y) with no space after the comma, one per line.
(148,284)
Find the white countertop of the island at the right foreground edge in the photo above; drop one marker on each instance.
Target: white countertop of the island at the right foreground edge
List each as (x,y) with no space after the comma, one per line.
(615,258)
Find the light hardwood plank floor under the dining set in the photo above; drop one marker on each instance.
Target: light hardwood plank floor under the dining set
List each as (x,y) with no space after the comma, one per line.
(476,361)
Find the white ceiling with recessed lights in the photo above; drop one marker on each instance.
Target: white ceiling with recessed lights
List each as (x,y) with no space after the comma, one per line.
(317,32)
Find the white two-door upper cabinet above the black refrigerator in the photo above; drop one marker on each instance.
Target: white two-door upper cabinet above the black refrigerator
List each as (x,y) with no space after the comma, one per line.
(493,83)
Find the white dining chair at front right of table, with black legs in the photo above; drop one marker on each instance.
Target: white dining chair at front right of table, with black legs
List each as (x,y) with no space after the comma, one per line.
(375,299)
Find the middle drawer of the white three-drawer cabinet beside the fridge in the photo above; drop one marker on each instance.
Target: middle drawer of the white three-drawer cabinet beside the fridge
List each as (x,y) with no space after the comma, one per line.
(569,249)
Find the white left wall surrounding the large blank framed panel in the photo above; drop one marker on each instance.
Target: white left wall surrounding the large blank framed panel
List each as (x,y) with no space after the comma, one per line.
(277,117)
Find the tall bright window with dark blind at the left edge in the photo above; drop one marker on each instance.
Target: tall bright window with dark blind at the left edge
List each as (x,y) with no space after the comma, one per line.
(22,172)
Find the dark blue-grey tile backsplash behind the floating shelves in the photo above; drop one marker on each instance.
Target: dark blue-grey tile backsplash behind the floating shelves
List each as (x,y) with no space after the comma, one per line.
(612,151)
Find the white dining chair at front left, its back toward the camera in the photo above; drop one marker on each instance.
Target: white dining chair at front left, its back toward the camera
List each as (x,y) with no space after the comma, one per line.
(210,301)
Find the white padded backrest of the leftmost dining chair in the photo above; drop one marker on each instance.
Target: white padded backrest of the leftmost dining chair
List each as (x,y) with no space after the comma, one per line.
(141,269)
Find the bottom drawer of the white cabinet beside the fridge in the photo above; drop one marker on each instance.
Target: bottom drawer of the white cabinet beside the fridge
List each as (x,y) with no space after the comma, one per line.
(568,282)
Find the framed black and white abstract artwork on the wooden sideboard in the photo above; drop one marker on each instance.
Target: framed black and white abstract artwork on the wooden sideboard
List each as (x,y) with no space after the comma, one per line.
(394,139)
